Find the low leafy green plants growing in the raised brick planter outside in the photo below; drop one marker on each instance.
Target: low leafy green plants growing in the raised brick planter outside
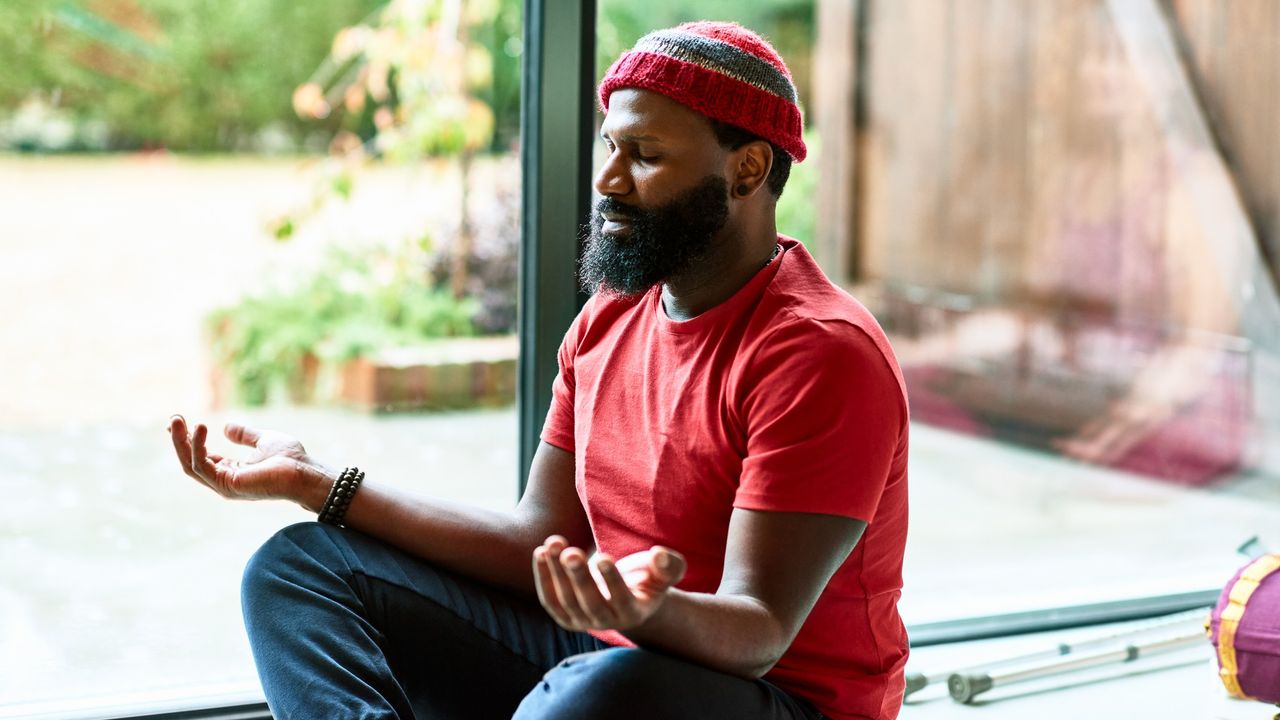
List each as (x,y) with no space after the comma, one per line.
(269,345)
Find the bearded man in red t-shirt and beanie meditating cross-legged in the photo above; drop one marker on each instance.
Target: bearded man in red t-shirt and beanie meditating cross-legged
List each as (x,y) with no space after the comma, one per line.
(728,434)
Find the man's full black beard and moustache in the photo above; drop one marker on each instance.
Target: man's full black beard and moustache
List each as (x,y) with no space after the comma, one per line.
(664,243)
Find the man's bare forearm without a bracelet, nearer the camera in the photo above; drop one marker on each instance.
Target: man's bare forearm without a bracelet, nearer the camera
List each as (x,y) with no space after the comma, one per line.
(734,635)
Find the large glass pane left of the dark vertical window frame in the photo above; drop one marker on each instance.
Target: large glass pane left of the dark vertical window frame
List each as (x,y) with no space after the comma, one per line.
(303,217)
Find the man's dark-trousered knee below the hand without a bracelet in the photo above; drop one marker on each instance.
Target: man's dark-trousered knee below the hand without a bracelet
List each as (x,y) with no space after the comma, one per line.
(616,683)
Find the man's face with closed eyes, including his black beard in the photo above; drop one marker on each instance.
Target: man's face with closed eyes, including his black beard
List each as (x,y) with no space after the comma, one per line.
(665,198)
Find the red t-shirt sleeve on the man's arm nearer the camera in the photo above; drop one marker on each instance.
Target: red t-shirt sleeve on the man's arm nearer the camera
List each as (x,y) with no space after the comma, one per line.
(825,416)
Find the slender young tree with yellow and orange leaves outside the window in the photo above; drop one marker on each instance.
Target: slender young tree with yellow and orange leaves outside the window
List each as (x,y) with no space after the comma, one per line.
(423,71)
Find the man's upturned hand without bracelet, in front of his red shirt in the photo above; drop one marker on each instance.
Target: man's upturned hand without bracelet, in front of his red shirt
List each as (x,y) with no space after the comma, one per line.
(597,594)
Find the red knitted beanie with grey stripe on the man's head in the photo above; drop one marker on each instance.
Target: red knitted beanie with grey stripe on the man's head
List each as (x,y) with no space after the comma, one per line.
(720,70)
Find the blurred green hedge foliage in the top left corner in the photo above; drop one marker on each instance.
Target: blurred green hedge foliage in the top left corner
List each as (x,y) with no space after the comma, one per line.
(185,75)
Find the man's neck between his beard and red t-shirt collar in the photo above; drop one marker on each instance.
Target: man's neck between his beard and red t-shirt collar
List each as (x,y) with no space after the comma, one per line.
(739,257)
